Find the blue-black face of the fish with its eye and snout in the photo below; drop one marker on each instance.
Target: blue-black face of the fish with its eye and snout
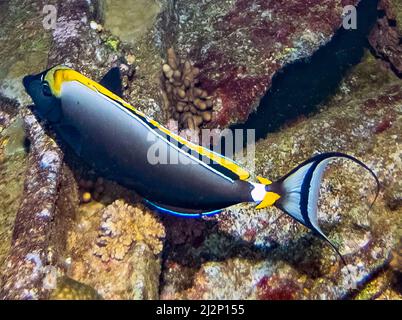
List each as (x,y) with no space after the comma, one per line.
(47,104)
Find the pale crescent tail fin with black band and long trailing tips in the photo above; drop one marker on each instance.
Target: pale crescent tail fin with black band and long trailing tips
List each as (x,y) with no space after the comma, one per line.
(299,191)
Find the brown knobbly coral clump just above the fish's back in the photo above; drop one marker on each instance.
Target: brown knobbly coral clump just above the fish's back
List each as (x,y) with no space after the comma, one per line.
(187,103)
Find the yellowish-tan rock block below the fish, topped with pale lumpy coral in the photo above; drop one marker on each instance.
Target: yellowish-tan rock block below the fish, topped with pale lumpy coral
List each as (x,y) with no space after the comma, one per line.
(116,250)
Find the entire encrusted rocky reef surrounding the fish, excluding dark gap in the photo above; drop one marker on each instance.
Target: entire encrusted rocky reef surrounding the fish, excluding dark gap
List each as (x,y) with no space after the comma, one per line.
(60,242)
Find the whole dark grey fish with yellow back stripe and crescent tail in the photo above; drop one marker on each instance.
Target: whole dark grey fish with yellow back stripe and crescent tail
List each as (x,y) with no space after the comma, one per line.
(114,137)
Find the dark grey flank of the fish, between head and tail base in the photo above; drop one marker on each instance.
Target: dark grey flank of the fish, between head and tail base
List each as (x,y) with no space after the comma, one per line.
(118,143)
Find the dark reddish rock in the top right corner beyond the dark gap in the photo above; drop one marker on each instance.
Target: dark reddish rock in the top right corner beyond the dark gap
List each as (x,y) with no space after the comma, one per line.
(387,34)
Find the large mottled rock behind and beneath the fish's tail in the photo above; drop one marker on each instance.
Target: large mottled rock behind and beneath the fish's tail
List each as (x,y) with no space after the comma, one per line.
(274,255)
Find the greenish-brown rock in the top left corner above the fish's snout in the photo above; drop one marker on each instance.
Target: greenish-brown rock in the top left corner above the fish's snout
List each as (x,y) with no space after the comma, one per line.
(25,48)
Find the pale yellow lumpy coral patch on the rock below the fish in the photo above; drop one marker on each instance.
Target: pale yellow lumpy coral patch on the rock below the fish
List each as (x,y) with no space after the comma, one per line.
(121,226)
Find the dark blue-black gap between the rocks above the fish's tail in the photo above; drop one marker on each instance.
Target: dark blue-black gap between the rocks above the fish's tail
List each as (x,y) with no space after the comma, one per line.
(299,88)
